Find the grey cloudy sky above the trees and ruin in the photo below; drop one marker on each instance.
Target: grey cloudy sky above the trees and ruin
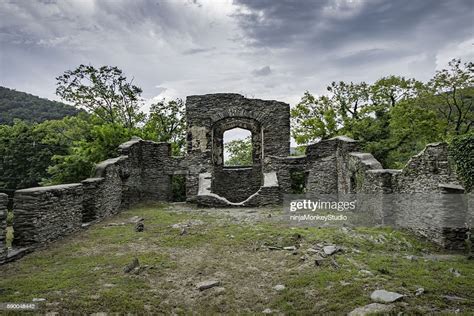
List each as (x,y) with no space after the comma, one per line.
(272,49)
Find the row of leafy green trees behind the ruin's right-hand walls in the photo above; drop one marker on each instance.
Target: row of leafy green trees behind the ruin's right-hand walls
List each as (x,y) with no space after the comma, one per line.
(395,117)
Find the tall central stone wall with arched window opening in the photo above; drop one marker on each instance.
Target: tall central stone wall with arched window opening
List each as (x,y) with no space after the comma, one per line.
(208,117)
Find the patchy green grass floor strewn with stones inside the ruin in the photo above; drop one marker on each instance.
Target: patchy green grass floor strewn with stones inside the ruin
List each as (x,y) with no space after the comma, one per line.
(84,272)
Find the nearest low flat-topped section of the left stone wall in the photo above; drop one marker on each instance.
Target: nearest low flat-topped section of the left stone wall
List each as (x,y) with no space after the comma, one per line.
(46,214)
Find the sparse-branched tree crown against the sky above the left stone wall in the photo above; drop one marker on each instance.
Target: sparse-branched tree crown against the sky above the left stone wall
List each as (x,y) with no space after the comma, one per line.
(105,92)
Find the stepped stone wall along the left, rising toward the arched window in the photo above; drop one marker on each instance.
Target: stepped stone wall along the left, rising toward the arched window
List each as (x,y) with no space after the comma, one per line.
(141,173)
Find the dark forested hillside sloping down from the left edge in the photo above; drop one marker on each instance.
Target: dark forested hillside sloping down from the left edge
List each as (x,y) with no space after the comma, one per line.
(20,105)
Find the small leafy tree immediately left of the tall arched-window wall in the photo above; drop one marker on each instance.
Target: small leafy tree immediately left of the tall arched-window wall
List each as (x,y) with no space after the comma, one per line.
(167,123)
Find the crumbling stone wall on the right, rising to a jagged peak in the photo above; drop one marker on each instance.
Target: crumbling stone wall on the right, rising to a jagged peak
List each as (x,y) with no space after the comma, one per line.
(425,197)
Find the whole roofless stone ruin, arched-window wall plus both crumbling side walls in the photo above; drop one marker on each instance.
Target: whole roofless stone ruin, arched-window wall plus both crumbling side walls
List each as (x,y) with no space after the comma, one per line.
(144,171)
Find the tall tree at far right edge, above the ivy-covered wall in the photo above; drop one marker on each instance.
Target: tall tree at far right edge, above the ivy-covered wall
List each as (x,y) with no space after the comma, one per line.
(451,93)
